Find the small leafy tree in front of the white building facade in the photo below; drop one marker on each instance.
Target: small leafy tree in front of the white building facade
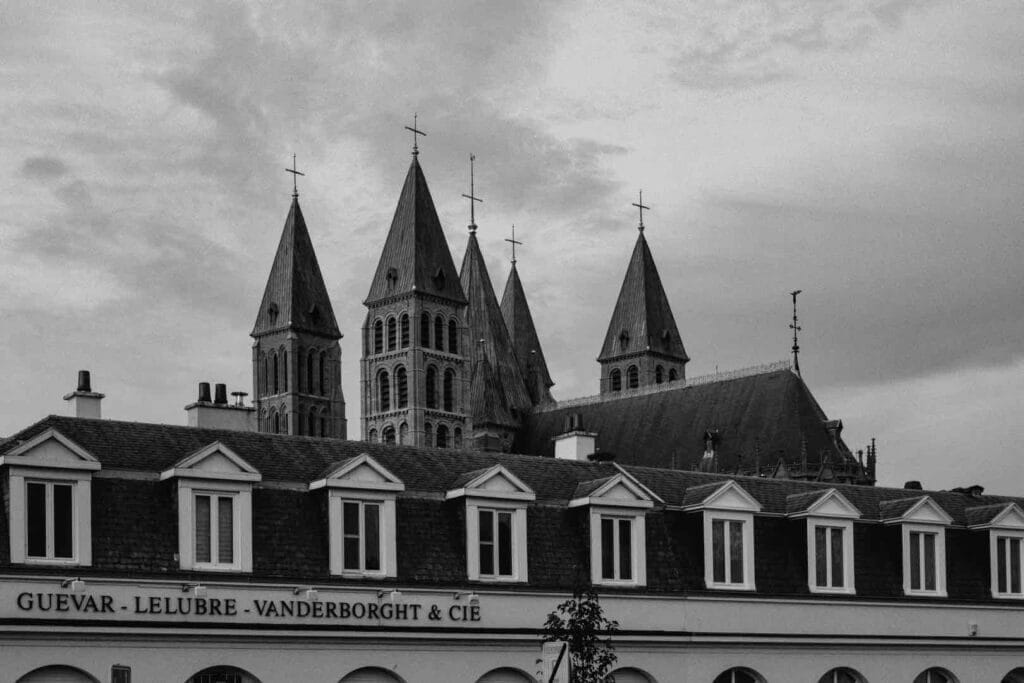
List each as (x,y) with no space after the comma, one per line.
(581,623)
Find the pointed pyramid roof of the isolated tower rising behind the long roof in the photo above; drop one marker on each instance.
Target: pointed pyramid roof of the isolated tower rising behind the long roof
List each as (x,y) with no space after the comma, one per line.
(643,313)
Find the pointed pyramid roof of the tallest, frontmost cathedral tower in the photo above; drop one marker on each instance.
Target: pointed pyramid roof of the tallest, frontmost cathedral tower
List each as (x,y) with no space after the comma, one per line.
(416,257)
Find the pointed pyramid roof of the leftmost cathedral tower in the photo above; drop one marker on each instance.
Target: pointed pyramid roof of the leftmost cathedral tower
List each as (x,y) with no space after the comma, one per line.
(295,296)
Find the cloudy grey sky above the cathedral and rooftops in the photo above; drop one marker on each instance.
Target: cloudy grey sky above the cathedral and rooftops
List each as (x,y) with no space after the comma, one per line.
(870,153)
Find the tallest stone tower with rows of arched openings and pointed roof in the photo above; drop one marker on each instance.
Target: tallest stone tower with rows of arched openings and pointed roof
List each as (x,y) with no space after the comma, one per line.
(415,369)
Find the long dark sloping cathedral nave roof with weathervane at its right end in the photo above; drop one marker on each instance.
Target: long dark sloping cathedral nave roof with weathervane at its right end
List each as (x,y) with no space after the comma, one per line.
(764,415)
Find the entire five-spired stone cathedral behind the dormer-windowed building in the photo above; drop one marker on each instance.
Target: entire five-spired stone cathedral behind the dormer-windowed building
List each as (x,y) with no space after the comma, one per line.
(445,364)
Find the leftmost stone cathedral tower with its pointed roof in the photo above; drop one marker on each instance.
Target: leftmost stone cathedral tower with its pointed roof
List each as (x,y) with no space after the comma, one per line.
(296,355)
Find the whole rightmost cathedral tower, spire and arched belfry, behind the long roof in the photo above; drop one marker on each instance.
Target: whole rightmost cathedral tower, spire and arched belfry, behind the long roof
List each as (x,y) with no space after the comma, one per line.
(643,347)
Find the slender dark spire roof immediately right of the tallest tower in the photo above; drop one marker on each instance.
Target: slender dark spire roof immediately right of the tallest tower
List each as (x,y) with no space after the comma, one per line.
(484,318)
